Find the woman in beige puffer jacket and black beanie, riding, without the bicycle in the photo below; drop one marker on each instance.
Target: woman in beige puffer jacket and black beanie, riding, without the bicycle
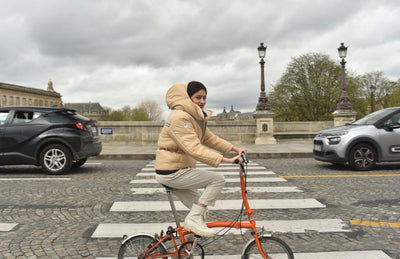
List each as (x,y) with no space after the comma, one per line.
(184,140)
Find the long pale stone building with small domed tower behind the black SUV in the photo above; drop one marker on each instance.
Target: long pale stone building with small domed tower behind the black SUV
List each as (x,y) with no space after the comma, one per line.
(16,95)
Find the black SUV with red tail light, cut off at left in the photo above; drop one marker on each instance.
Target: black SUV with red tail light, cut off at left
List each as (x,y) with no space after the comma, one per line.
(54,138)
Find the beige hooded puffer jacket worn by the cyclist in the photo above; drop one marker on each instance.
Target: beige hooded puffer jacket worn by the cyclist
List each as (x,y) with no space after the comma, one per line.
(185,137)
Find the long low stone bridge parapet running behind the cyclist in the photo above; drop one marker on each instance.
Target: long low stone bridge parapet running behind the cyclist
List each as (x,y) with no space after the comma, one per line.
(237,132)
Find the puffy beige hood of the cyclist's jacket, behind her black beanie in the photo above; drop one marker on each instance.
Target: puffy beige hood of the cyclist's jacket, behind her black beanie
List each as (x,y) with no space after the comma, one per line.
(177,98)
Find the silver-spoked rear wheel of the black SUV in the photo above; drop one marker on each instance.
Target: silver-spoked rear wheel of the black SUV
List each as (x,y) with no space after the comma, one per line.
(55,159)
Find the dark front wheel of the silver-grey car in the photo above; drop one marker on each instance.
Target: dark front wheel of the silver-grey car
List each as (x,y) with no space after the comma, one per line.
(362,157)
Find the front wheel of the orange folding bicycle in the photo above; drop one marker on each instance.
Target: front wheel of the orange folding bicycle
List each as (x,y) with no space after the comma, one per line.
(274,248)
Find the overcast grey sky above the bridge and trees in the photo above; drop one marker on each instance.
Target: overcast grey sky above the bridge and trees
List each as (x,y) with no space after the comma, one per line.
(122,52)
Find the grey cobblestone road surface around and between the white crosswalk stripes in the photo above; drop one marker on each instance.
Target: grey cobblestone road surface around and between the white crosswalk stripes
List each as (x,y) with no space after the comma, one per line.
(44,216)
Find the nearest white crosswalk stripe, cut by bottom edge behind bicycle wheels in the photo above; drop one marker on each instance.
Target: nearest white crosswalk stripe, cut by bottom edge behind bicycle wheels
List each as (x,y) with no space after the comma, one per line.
(369,254)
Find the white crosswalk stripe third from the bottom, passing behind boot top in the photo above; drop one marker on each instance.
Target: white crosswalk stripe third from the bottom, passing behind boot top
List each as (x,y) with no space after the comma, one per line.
(140,206)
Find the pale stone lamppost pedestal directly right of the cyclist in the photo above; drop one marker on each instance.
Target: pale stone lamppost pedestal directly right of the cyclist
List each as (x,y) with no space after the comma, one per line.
(265,127)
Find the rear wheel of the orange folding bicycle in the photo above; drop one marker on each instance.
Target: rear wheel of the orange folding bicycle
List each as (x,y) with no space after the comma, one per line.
(135,247)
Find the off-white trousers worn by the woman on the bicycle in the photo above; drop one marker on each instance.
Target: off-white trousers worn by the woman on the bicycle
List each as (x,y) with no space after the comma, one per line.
(186,183)
